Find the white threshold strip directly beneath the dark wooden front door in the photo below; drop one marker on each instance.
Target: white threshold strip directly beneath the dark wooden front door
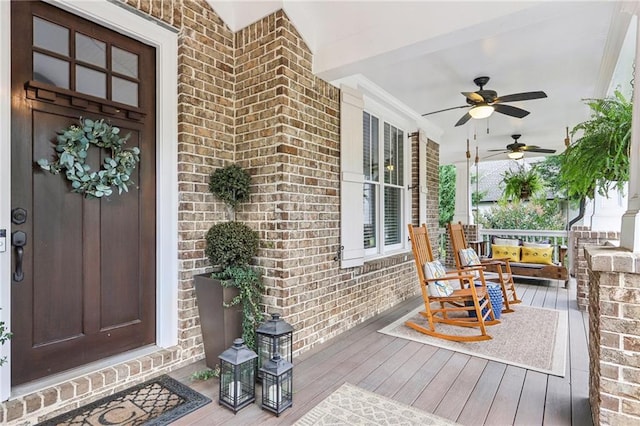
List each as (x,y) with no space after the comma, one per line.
(65,376)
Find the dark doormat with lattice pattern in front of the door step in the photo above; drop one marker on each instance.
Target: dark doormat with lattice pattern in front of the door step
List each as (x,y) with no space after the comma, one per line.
(156,402)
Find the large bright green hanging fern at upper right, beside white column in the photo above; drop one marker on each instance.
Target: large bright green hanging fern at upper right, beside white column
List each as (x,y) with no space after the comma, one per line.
(601,155)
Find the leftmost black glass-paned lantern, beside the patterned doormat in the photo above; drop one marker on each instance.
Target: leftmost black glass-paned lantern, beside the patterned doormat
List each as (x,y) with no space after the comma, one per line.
(237,376)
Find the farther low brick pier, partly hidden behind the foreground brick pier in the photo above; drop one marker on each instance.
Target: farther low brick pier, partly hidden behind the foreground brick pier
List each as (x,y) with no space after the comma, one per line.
(579,238)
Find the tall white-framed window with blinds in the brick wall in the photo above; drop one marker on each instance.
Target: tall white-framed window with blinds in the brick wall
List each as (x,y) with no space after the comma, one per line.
(383,194)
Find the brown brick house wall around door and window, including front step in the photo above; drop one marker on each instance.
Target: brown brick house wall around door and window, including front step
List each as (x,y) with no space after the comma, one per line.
(251,98)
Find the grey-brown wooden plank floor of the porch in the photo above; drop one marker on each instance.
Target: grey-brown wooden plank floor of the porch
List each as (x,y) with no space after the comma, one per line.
(462,388)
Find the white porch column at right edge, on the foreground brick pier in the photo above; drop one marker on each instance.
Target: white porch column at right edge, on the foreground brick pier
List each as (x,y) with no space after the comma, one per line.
(630,235)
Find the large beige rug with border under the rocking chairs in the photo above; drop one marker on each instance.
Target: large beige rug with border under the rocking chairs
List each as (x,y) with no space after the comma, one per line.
(532,338)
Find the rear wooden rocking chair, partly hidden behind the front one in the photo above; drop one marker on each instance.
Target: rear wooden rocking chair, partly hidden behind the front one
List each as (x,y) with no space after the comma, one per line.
(497,270)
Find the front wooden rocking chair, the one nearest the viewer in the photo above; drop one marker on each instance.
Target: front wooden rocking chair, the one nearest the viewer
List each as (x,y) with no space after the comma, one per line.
(451,309)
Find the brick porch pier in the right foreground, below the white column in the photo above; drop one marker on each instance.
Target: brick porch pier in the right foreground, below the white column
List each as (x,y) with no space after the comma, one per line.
(614,335)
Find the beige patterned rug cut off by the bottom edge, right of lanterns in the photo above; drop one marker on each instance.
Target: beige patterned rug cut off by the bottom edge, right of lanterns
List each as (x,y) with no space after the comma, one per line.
(351,405)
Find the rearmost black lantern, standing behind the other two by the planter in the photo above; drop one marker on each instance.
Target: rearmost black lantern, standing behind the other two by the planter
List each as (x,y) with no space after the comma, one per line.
(274,336)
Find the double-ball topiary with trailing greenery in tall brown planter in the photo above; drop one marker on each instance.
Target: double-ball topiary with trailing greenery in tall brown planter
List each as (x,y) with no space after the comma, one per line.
(229,299)
